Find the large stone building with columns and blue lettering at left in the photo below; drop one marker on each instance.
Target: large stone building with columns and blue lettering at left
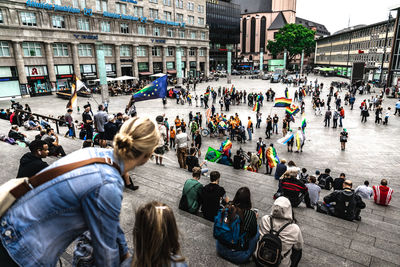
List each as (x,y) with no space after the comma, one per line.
(43,44)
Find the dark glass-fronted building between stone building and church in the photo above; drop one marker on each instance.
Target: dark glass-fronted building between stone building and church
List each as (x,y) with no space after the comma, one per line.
(223,19)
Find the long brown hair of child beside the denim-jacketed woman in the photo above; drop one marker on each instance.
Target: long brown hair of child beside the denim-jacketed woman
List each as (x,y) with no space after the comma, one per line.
(155,236)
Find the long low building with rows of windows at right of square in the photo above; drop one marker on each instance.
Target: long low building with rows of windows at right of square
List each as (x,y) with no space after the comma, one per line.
(365,43)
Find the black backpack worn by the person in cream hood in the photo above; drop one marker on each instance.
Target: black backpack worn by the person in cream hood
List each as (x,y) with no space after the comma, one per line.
(269,247)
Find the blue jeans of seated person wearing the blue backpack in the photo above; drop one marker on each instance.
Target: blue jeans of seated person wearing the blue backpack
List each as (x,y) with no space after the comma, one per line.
(238,256)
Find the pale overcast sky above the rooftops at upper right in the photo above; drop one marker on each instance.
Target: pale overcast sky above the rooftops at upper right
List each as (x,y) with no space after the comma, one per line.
(335,14)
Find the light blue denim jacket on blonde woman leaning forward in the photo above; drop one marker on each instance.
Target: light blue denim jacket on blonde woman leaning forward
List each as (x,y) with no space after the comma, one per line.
(38,228)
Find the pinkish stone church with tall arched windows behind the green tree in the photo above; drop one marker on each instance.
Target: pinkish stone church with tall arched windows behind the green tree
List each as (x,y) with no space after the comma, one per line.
(261,20)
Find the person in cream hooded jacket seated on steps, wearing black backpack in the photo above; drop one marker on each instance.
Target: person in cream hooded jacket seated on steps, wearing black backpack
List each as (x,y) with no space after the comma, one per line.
(291,237)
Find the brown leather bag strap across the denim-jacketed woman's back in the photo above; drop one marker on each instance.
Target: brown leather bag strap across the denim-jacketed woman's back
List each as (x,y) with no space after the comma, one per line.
(48,175)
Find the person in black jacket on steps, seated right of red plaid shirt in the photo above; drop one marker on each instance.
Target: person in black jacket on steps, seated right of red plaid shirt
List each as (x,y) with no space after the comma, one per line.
(348,204)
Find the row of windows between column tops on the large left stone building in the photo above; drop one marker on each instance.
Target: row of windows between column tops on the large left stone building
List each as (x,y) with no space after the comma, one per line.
(33,49)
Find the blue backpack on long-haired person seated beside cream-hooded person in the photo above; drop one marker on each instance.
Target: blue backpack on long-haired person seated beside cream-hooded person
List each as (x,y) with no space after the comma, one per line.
(228,234)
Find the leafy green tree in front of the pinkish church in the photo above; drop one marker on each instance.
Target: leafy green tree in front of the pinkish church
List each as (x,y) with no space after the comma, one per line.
(294,38)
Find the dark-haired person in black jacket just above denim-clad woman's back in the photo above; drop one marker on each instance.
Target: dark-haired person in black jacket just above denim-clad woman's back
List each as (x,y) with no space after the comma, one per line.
(31,163)
